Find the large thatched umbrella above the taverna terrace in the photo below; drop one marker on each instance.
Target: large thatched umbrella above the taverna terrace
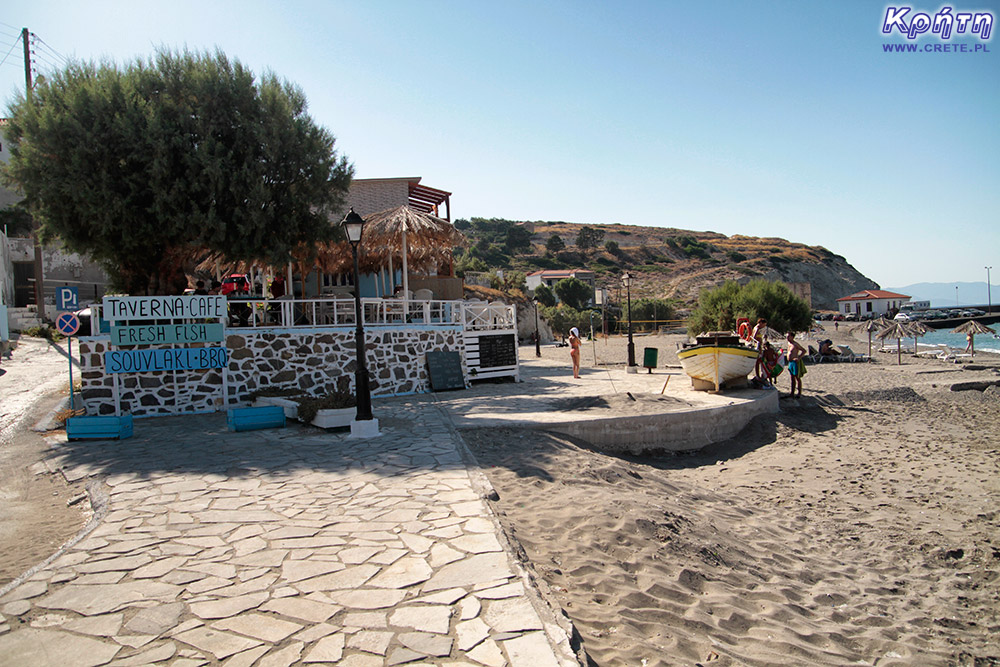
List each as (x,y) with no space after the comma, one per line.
(412,236)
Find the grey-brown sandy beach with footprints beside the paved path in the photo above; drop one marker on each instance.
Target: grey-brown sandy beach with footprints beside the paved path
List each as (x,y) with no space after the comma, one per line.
(858,526)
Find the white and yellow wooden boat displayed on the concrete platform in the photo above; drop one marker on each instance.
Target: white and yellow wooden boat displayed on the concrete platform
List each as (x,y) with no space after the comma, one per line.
(717,361)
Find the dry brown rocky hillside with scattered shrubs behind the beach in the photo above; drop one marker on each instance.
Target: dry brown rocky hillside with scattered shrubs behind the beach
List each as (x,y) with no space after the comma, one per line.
(667,262)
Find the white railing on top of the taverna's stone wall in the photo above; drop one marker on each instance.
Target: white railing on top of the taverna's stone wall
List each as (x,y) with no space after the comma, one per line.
(376,312)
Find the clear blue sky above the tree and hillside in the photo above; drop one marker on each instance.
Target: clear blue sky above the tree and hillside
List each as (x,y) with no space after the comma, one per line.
(782,119)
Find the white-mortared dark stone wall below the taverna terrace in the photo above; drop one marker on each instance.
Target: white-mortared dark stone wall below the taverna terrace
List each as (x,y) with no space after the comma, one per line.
(309,359)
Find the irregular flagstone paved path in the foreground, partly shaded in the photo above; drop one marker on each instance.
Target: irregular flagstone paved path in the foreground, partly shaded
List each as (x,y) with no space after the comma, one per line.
(280,547)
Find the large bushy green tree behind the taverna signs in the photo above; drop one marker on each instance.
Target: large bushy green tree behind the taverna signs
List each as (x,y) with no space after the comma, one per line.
(139,166)
